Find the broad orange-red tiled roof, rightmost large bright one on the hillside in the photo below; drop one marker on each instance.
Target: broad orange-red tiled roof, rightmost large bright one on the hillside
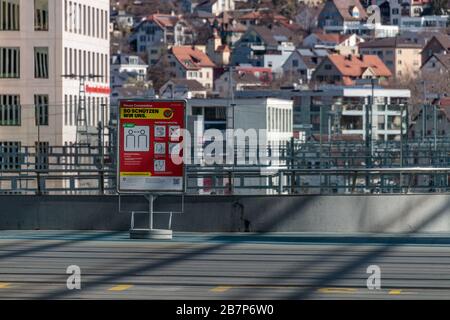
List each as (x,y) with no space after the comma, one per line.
(355,66)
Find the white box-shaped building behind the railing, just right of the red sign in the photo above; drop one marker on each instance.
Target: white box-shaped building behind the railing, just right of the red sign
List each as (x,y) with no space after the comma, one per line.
(271,118)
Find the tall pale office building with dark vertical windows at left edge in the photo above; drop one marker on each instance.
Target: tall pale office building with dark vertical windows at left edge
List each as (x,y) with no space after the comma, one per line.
(40,42)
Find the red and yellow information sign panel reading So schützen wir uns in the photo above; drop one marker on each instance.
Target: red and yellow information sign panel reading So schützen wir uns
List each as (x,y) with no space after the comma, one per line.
(149,132)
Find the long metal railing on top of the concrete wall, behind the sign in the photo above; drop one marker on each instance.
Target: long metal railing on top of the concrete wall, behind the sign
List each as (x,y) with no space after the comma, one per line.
(335,167)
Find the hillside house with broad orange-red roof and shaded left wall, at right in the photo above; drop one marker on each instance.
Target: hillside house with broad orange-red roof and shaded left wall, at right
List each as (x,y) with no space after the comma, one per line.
(345,70)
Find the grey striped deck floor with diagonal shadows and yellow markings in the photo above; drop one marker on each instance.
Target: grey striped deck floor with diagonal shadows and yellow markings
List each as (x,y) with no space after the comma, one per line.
(223,266)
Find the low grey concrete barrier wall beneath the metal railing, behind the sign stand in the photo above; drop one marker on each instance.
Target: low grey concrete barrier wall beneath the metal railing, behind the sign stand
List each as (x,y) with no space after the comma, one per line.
(351,214)
